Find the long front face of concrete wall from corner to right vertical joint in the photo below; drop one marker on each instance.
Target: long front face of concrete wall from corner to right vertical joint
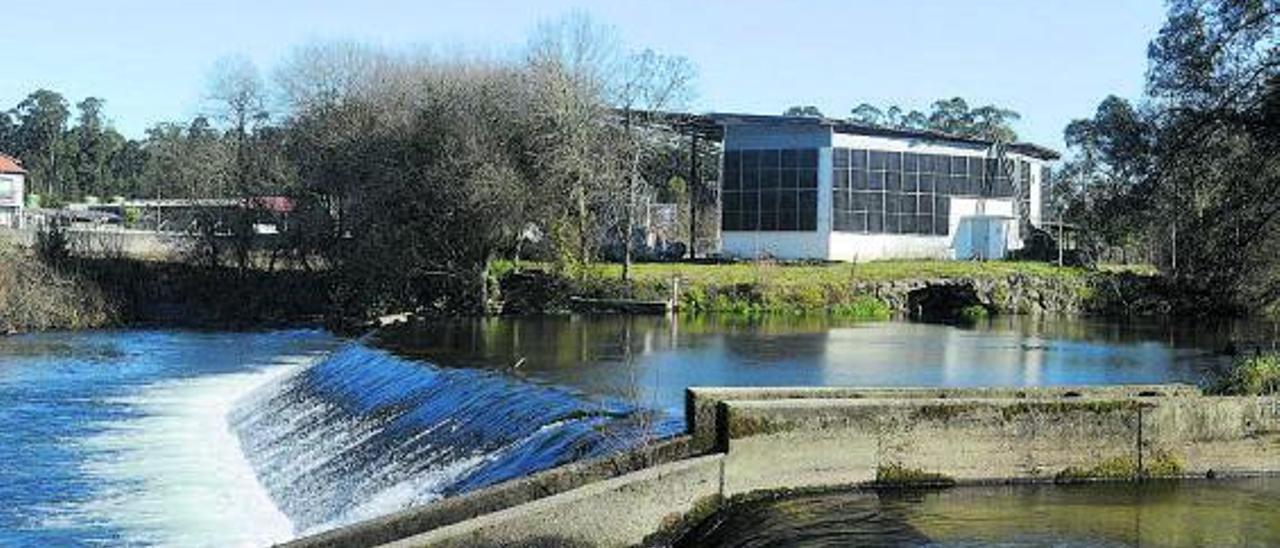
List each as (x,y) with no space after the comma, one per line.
(803,444)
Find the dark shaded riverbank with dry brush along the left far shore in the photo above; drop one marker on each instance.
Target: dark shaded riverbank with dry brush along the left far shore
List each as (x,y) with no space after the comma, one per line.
(92,293)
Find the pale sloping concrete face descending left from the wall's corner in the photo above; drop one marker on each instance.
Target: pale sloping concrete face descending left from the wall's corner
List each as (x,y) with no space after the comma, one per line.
(615,513)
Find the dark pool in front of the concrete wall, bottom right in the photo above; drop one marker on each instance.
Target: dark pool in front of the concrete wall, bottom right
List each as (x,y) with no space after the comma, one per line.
(1235,513)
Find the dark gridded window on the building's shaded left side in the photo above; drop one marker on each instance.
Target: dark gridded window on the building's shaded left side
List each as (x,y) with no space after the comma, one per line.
(771,190)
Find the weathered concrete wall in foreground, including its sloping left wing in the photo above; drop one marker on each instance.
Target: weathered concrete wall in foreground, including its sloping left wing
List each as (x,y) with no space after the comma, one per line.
(760,440)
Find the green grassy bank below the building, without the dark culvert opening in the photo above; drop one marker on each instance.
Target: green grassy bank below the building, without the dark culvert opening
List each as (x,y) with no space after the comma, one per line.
(857,291)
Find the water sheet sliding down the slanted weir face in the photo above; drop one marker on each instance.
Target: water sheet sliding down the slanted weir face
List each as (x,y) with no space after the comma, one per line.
(364,433)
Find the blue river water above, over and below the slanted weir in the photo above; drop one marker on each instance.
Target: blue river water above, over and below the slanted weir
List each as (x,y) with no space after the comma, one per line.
(204,439)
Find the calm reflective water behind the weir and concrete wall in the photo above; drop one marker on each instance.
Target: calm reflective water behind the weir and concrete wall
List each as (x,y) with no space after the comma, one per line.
(653,359)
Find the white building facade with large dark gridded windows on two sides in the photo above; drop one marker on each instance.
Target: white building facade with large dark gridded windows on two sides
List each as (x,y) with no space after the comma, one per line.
(826,190)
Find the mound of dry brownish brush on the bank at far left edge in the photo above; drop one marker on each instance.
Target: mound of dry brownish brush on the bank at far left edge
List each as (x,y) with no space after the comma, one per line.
(35,296)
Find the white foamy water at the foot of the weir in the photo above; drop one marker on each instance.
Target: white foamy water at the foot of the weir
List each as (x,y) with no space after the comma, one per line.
(177,476)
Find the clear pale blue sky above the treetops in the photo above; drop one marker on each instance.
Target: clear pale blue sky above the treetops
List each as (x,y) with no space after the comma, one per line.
(1050,61)
